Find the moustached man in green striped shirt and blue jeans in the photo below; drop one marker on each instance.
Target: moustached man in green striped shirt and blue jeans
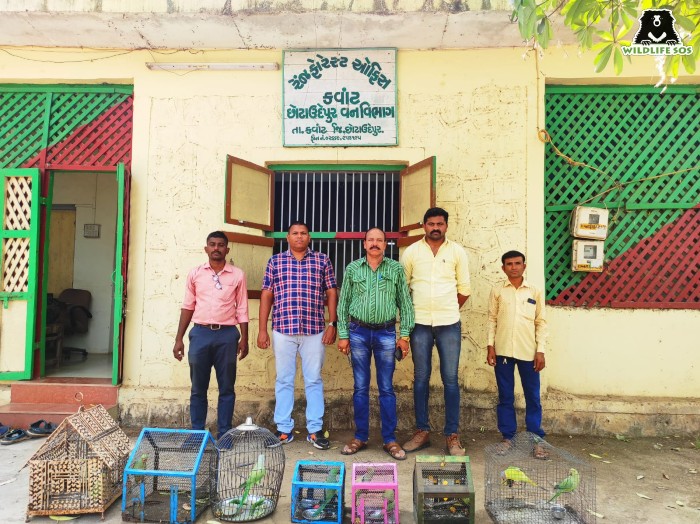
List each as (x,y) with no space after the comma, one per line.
(374,288)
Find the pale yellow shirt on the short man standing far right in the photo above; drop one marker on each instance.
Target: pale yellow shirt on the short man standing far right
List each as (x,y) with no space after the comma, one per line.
(517,323)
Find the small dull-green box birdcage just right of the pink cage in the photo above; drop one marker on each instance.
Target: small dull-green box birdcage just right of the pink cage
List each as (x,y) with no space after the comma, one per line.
(443,490)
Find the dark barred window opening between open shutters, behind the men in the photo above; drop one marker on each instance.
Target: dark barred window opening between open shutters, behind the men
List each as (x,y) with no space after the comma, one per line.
(338,206)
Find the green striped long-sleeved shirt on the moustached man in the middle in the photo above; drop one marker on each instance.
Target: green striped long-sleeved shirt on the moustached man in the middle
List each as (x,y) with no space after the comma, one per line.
(374,296)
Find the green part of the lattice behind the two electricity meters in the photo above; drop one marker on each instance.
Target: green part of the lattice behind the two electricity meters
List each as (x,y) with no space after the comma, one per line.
(631,134)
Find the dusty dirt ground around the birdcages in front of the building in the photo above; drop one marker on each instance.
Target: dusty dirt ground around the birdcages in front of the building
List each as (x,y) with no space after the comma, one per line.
(666,470)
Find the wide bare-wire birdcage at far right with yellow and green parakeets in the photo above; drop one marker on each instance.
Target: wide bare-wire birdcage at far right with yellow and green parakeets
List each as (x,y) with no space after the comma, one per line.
(520,488)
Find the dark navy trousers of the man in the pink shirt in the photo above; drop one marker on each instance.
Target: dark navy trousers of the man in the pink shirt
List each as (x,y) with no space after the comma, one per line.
(219,349)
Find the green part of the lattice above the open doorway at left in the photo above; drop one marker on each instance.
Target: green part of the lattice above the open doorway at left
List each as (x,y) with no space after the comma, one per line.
(34,118)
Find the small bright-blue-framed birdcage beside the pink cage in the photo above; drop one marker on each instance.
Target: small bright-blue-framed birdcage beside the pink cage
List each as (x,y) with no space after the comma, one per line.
(317,492)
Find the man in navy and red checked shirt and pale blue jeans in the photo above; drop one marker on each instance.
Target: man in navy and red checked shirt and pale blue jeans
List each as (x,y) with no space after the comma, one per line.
(296,283)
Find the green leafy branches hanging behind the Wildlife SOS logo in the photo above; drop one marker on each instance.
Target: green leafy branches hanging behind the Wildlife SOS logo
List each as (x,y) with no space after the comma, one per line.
(607,25)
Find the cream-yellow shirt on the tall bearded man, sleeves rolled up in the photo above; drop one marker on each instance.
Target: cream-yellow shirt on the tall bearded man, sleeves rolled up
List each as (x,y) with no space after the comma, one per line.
(434,281)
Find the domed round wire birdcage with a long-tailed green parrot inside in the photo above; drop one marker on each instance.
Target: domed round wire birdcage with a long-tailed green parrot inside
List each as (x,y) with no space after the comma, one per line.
(249,473)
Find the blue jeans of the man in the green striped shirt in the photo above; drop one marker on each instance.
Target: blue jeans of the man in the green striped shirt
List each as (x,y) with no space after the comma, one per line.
(365,342)
